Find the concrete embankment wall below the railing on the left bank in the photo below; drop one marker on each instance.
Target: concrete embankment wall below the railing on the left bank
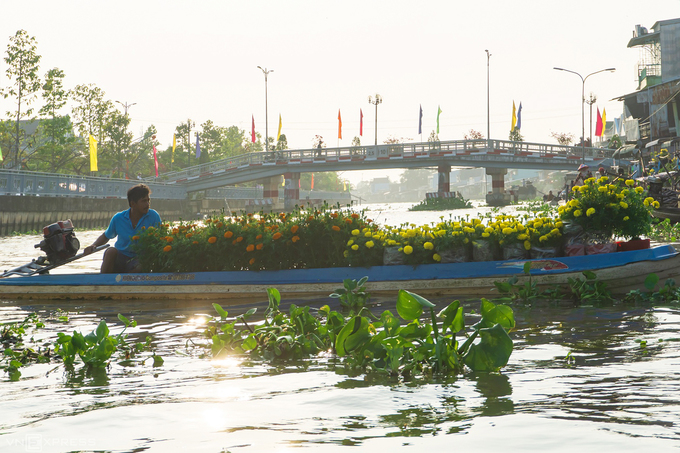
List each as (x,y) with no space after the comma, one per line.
(22,214)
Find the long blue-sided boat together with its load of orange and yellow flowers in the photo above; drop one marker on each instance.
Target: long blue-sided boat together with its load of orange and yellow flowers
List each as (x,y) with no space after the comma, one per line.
(310,251)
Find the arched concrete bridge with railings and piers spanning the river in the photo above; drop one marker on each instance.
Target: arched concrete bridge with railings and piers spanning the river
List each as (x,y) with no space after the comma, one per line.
(494,155)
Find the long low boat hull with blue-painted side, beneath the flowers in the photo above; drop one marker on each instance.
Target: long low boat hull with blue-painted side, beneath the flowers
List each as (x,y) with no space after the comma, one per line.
(622,271)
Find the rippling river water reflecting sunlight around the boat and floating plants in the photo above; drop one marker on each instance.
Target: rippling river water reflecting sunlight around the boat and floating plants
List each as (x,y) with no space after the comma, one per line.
(580,379)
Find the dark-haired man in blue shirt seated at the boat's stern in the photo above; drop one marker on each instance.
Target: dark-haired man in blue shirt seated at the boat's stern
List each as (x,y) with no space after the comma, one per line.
(124,225)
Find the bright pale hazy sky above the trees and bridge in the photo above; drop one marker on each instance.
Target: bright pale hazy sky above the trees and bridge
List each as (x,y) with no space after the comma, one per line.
(177,60)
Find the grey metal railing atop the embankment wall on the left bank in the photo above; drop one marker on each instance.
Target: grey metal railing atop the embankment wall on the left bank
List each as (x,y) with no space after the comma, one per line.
(19,182)
